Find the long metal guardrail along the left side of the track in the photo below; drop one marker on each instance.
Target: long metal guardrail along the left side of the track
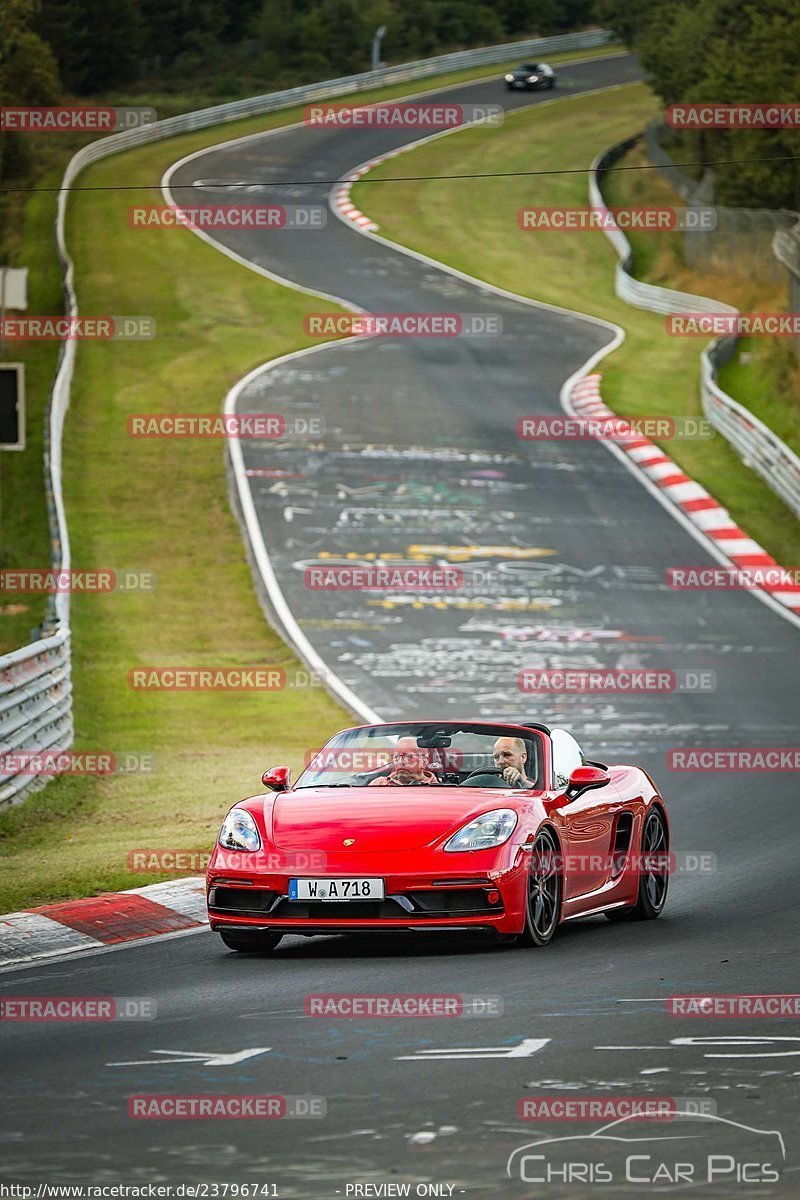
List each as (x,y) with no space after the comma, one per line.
(35,681)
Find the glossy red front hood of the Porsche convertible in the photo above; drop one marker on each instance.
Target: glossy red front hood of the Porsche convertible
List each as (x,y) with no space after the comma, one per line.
(377,818)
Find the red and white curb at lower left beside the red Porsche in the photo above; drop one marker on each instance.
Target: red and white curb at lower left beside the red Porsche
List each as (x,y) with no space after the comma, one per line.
(100,921)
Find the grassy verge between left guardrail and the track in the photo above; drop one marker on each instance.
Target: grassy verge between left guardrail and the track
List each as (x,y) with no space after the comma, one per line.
(160,506)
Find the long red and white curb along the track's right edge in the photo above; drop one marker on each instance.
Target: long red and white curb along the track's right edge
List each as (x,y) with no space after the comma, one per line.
(682,490)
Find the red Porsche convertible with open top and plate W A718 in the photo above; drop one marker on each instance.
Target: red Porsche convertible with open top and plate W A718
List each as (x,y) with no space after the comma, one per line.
(441,826)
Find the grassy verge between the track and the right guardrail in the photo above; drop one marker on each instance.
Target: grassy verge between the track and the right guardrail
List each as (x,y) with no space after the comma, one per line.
(473,226)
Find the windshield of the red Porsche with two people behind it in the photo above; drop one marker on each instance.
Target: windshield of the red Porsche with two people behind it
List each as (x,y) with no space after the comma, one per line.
(453,753)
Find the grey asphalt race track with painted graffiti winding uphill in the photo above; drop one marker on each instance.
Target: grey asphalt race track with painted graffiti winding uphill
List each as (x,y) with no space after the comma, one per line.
(570,541)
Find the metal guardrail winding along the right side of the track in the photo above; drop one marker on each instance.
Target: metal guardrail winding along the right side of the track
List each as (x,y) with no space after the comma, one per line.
(757,445)
